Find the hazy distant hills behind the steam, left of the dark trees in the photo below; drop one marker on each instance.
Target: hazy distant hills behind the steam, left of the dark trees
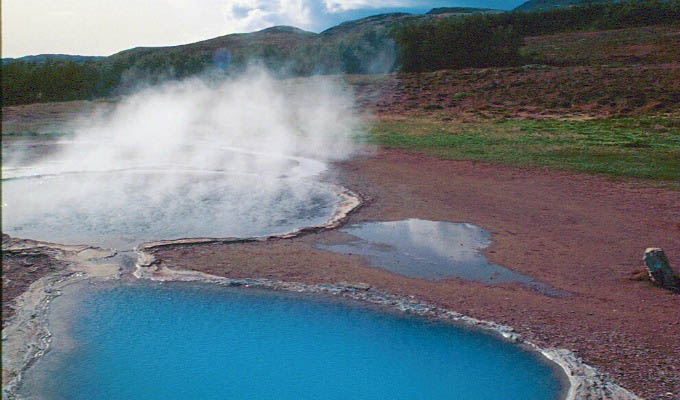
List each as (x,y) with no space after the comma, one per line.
(361,46)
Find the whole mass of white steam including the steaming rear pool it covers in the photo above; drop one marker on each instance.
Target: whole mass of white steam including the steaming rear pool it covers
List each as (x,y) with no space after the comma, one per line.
(194,158)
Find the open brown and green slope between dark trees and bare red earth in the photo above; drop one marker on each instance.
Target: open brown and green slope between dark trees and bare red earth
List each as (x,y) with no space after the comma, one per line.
(609,103)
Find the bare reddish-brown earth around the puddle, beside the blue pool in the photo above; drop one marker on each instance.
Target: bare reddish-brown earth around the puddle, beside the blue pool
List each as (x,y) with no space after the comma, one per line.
(580,233)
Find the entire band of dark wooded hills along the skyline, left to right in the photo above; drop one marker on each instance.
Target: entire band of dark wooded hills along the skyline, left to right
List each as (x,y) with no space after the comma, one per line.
(443,38)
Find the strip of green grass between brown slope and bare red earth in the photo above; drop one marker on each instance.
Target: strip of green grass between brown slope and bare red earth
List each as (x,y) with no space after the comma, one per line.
(638,147)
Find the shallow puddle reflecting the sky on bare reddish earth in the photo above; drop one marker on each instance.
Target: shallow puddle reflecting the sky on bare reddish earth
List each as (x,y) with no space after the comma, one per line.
(431,250)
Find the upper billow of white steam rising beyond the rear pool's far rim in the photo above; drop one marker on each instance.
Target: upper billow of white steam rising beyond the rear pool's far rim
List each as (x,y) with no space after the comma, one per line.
(180,122)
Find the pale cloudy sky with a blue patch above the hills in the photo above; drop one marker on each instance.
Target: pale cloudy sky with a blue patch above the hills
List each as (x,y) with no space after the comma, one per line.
(104,27)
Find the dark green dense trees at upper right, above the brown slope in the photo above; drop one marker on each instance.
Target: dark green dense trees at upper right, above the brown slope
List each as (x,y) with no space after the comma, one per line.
(495,39)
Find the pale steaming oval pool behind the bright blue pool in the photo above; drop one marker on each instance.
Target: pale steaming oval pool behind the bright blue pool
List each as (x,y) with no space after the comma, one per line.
(132,207)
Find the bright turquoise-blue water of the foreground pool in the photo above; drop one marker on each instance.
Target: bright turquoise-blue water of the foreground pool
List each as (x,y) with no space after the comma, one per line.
(189,341)
